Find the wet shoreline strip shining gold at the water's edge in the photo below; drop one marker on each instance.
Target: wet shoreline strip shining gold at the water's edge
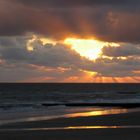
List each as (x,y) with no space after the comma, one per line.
(86,113)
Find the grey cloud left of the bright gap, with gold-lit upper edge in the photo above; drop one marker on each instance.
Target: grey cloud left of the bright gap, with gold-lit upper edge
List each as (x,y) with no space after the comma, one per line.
(49,55)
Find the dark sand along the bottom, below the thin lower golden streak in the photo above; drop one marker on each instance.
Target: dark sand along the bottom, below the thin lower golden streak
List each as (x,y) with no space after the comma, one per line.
(92,134)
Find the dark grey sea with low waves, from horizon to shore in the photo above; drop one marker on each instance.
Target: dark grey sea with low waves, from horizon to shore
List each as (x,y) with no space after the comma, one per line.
(20,102)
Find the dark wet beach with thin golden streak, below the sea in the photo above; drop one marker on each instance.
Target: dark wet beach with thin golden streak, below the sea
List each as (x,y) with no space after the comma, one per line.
(123,125)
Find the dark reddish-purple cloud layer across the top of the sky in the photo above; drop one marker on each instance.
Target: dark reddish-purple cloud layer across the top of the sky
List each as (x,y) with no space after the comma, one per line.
(106,19)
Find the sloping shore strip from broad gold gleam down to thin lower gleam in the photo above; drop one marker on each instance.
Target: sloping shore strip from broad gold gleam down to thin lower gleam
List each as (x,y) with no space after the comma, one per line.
(114,118)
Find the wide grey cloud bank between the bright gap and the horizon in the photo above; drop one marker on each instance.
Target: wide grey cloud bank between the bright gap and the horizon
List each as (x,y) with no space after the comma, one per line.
(59,61)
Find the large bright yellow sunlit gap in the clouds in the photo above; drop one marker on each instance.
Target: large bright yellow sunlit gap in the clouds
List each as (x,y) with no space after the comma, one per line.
(89,48)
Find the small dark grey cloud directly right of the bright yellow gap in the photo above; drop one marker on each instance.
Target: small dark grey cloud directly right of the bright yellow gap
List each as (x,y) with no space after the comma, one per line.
(122,51)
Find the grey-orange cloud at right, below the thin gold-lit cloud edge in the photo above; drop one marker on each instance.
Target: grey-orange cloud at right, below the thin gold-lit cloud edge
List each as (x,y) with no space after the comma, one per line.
(116,67)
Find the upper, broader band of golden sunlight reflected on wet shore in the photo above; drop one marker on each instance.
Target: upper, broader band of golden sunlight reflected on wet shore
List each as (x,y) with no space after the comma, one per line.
(71,115)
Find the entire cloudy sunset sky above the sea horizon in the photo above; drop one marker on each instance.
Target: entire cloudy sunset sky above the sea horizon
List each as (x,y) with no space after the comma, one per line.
(70,41)
